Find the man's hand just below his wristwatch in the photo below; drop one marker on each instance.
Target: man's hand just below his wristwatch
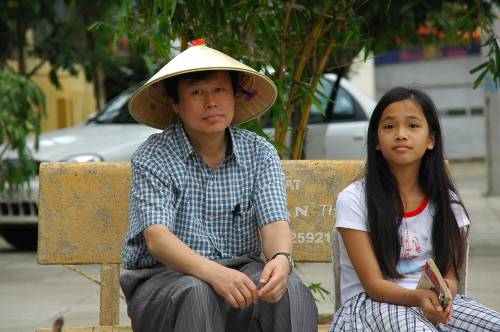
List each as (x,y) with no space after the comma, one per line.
(274,279)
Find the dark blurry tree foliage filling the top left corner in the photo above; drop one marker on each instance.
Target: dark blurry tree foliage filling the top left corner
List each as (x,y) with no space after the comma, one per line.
(60,35)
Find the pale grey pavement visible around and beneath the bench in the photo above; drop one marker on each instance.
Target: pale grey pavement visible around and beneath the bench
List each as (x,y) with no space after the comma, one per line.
(33,295)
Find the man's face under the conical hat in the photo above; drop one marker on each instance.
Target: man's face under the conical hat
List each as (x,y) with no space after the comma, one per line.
(206,107)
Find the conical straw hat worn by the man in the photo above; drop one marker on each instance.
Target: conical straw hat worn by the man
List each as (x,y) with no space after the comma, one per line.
(152,105)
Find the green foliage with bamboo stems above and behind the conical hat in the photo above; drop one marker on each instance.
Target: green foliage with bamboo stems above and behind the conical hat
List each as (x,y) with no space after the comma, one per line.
(290,39)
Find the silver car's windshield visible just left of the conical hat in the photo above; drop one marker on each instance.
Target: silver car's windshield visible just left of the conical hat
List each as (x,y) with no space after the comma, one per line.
(116,111)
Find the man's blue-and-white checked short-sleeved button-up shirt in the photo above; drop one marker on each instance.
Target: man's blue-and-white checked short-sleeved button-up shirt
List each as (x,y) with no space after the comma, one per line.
(216,212)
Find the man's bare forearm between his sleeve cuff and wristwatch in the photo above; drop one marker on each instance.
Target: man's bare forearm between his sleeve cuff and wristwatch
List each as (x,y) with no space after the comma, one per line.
(276,237)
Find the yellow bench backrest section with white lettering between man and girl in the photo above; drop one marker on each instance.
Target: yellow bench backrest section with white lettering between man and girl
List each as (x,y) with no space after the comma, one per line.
(312,189)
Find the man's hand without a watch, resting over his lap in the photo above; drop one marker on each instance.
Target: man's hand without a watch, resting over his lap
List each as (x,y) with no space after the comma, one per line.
(235,286)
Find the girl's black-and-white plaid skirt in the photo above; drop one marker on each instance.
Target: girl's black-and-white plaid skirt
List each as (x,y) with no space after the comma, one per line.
(360,313)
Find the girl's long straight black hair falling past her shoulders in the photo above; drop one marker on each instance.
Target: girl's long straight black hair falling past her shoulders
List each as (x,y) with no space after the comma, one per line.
(383,200)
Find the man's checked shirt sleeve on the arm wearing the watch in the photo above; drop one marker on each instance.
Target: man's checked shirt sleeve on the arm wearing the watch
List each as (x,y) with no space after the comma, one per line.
(270,195)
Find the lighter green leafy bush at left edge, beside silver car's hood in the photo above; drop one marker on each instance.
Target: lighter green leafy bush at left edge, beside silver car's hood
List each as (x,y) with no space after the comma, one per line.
(22,104)
